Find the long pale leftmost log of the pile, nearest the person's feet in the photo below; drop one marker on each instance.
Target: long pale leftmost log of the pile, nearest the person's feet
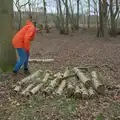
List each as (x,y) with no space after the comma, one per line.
(26,80)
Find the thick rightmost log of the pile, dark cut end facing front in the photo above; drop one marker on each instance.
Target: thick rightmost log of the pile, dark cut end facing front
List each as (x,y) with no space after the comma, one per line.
(97,85)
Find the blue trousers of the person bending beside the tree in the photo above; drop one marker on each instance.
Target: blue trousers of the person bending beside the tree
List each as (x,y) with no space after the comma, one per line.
(23,60)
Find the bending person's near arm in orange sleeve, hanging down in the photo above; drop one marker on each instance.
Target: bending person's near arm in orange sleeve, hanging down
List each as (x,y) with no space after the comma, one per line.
(29,35)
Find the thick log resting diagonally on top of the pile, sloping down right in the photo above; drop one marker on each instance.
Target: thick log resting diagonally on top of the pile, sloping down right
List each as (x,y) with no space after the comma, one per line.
(85,80)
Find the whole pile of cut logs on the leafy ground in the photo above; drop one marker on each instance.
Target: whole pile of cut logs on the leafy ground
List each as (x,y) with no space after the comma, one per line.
(78,82)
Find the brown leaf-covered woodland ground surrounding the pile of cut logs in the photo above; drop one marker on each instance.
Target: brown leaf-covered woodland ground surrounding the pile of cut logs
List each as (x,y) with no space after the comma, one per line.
(71,50)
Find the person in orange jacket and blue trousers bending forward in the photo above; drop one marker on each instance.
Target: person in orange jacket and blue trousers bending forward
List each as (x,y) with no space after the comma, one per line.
(21,42)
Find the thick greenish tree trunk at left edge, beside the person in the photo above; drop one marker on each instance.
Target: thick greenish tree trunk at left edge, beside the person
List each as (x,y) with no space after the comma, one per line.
(7,53)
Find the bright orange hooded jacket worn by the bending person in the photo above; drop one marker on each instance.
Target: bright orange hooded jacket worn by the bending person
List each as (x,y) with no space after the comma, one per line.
(24,36)
